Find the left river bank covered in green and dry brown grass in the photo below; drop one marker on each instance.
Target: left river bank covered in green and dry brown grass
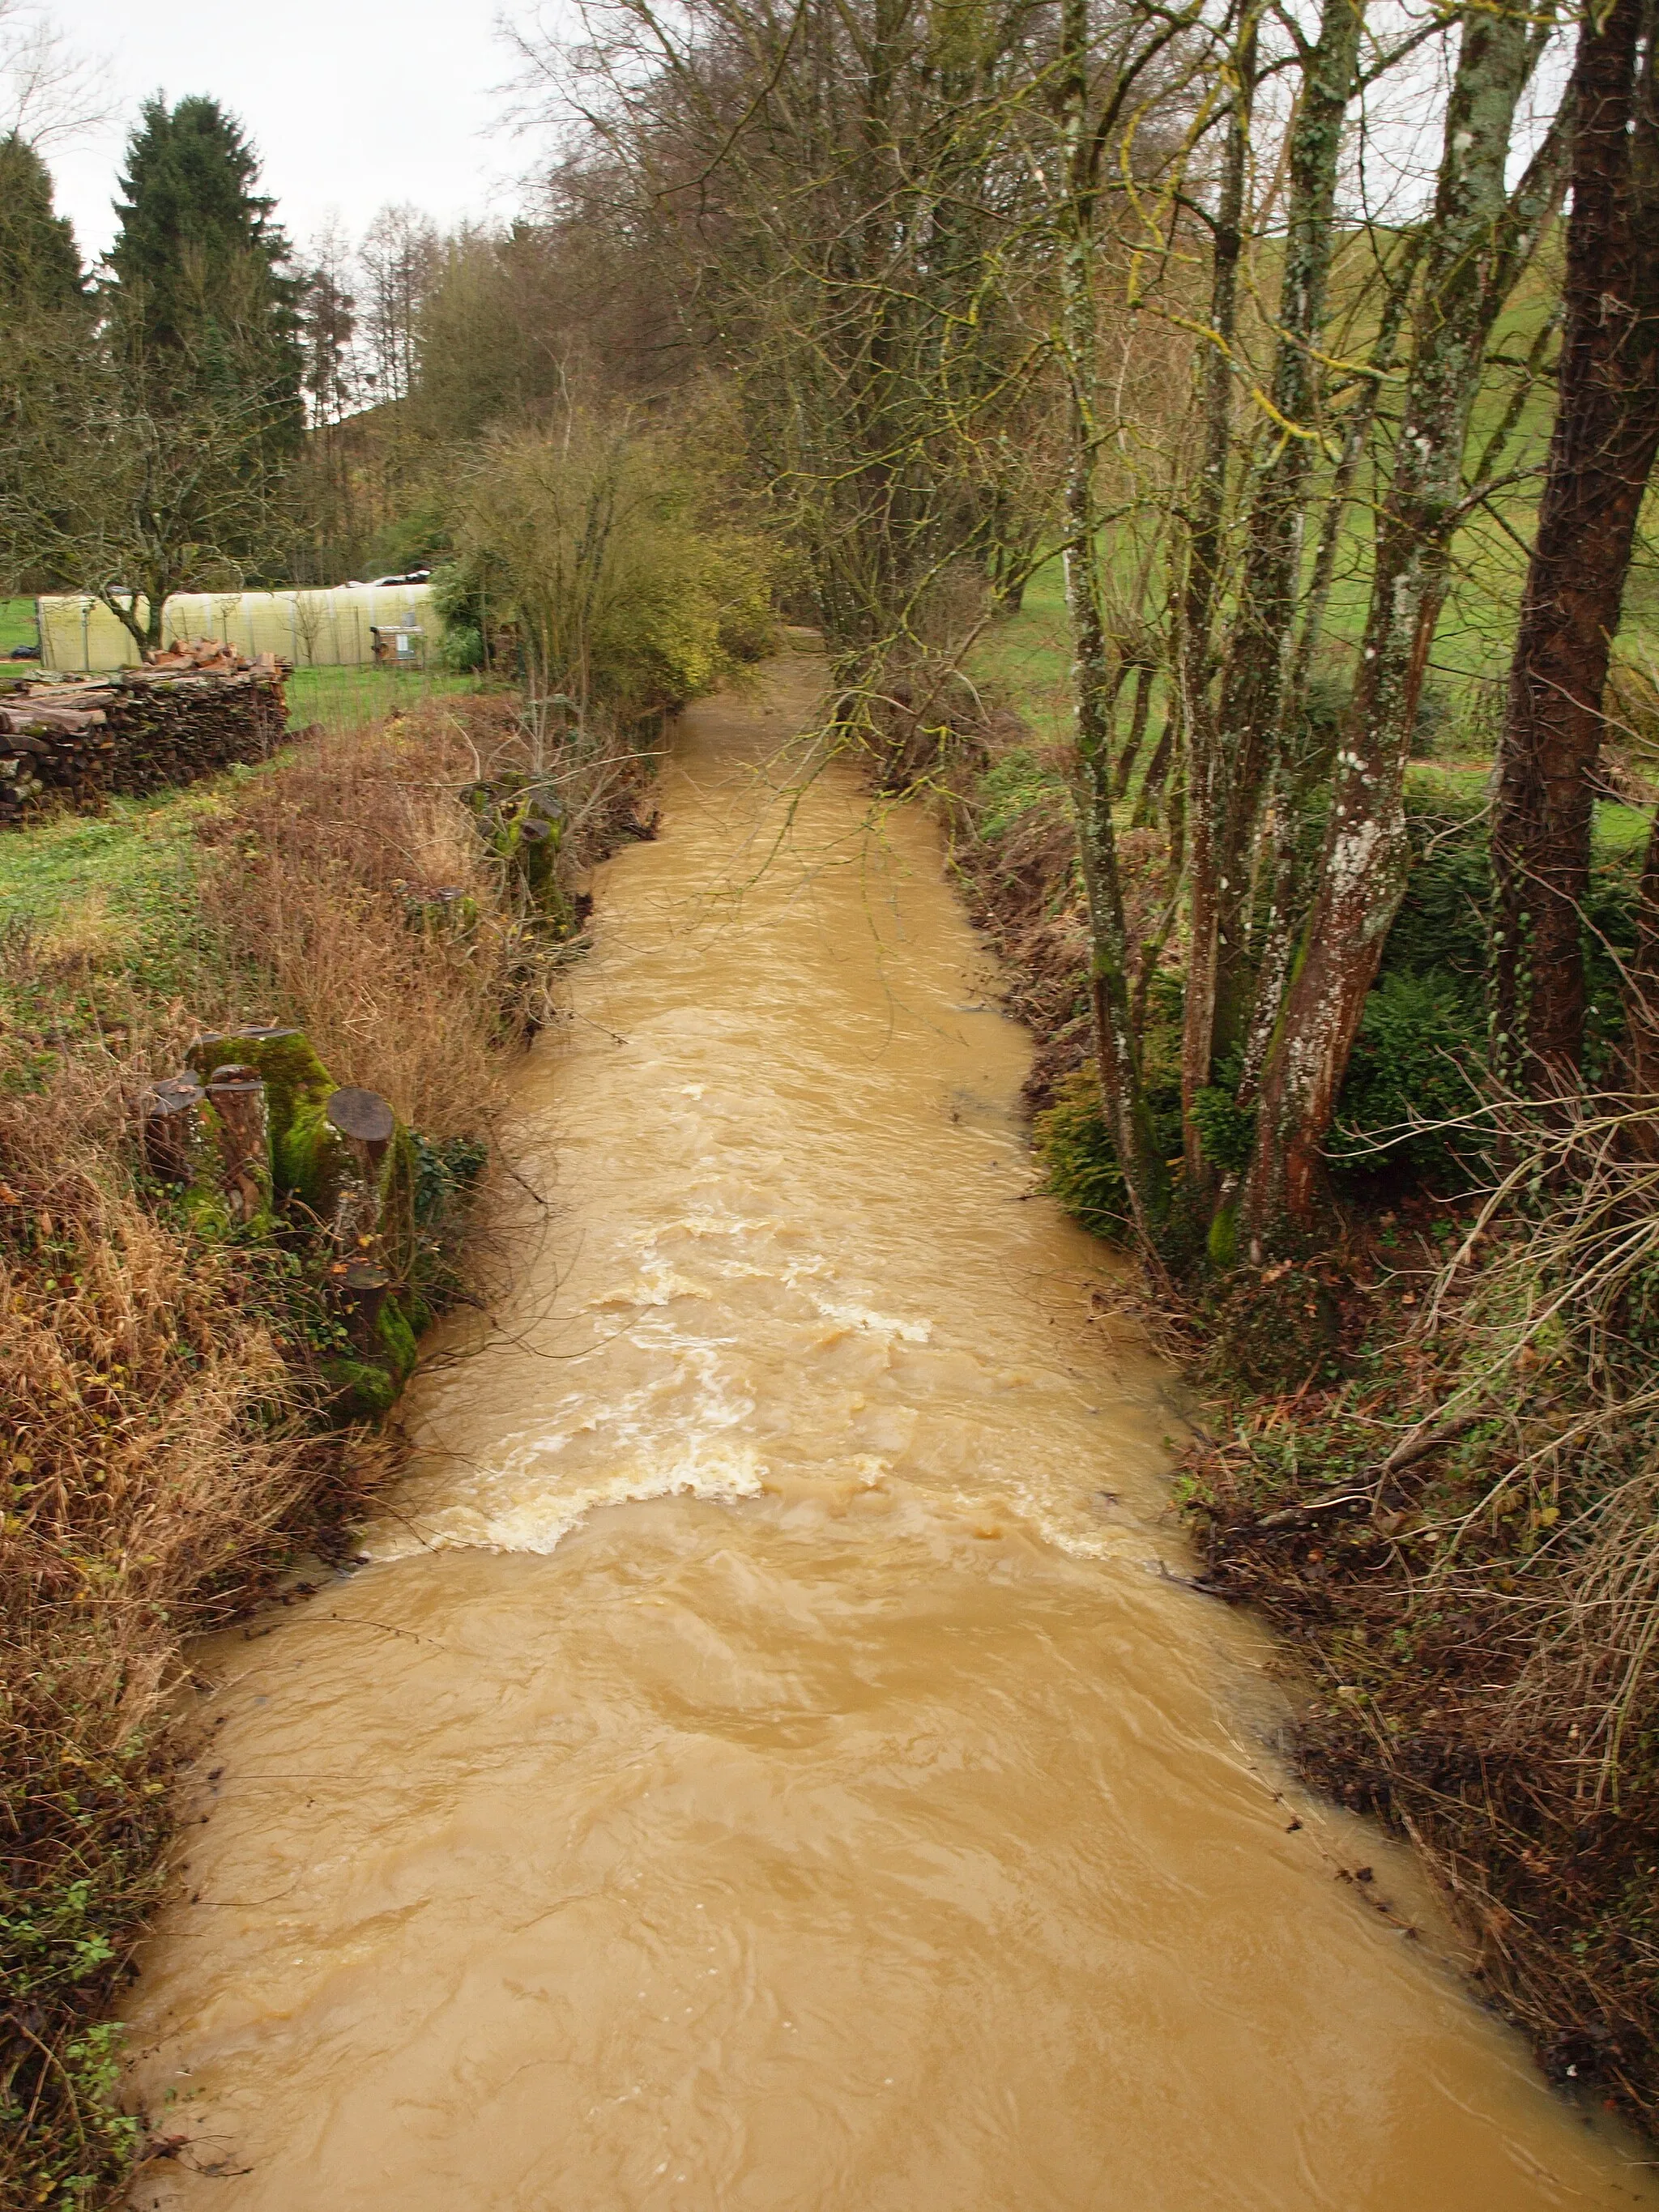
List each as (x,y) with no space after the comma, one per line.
(171,1430)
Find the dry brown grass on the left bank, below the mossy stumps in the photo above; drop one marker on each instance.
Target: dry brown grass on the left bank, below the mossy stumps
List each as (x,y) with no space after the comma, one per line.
(156,1463)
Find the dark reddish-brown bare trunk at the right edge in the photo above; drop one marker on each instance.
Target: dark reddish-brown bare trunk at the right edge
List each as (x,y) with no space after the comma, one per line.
(1607,430)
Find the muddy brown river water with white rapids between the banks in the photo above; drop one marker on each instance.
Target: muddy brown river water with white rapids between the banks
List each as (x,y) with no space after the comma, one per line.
(764,1766)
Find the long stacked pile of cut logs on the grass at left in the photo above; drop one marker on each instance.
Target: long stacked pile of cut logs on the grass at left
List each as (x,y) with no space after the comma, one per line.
(81,740)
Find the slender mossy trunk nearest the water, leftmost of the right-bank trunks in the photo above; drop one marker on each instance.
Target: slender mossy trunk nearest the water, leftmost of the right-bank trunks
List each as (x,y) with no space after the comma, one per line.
(1094,687)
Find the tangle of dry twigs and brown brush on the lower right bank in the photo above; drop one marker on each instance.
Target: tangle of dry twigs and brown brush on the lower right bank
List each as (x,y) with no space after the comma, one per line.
(1463,1536)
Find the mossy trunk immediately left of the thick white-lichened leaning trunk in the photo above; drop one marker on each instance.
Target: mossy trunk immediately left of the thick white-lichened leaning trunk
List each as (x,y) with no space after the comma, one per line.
(1218,1003)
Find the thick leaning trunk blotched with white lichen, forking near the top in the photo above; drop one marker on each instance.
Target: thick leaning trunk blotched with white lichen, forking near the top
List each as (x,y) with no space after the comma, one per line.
(1481,240)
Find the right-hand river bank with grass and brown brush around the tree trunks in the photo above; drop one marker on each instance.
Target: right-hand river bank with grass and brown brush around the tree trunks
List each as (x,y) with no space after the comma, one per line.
(1432,1452)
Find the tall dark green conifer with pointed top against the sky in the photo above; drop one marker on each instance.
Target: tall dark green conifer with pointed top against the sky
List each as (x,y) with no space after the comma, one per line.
(202,295)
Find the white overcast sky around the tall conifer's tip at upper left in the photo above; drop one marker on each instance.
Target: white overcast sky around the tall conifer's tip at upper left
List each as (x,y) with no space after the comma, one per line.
(351,103)
